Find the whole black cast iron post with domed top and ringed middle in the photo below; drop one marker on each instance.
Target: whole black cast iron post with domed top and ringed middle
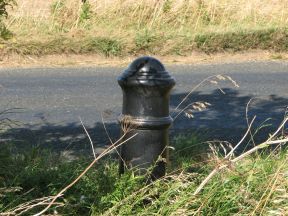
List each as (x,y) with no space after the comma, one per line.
(146,89)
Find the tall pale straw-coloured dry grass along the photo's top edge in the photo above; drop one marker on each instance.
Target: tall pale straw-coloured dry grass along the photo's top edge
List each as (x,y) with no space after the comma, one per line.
(220,11)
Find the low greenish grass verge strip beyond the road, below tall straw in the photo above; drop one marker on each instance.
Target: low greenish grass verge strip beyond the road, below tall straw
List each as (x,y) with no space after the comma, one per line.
(266,39)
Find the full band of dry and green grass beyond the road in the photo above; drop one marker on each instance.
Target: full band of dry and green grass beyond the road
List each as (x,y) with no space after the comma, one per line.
(156,27)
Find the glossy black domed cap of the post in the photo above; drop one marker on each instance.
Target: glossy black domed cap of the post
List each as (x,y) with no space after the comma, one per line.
(147,71)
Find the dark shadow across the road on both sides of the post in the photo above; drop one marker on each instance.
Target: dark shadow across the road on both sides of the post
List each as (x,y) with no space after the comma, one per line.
(224,120)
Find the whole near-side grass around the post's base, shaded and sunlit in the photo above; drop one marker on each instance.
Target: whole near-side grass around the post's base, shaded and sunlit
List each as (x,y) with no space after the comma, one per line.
(256,185)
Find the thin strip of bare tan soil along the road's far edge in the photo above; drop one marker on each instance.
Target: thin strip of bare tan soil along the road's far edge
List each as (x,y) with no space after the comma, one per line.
(17,61)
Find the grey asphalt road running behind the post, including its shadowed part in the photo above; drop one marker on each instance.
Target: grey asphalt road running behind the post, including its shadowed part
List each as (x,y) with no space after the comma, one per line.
(52,100)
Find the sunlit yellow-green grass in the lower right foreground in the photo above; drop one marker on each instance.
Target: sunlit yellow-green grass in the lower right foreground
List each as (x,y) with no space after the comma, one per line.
(239,191)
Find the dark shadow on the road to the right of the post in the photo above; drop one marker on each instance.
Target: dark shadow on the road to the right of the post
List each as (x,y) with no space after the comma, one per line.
(226,117)
